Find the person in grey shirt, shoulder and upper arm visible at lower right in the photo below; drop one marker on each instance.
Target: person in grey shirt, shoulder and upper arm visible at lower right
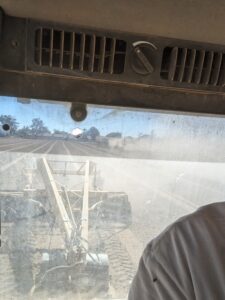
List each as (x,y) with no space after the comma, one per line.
(186,261)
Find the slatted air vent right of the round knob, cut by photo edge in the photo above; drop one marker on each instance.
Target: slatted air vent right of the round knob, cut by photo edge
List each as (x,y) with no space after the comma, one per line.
(193,66)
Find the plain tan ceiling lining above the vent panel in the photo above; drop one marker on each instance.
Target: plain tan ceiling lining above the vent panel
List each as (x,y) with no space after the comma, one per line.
(198,20)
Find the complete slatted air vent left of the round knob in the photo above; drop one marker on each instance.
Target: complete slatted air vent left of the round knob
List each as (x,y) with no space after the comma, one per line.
(79,51)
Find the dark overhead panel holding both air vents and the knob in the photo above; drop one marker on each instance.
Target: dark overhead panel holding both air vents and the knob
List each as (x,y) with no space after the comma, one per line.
(111,65)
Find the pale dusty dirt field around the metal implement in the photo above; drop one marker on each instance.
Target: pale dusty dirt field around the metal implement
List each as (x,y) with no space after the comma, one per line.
(159,192)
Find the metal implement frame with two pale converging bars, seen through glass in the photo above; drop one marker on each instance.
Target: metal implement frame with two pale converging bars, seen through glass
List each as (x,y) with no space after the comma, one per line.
(77,213)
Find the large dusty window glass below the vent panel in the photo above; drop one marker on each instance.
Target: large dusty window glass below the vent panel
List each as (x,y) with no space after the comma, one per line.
(80,200)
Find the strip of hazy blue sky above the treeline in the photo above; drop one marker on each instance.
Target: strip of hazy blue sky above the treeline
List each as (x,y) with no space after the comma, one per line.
(56,115)
